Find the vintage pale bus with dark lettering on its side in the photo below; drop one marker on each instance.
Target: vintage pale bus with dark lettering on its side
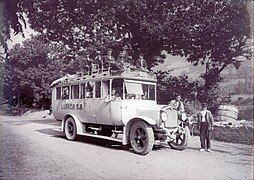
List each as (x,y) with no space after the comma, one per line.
(119,106)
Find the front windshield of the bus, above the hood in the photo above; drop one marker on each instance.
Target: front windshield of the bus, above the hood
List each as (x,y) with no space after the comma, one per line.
(135,90)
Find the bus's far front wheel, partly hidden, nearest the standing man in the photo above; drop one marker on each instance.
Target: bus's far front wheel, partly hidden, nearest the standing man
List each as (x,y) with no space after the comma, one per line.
(181,140)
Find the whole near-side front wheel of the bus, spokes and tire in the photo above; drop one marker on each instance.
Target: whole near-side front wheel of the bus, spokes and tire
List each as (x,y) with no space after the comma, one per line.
(141,138)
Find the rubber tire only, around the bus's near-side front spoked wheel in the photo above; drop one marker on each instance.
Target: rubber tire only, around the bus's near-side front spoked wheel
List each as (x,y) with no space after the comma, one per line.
(149,140)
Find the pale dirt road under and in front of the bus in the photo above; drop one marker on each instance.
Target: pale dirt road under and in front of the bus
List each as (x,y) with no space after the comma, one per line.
(30,149)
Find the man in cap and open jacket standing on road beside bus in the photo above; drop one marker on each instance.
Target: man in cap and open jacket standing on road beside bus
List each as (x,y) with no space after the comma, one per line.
(205,126)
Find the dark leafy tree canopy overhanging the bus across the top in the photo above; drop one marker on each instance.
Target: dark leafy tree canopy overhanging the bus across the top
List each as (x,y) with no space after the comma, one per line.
(213,33)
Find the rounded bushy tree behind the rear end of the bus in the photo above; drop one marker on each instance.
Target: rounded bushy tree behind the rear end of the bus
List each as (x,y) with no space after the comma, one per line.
(32,67)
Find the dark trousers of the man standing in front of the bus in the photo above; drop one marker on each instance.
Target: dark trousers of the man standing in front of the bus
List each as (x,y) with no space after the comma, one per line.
(205,135)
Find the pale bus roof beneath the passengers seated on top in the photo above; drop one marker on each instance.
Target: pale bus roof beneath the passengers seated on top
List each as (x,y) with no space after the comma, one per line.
(131,74)
